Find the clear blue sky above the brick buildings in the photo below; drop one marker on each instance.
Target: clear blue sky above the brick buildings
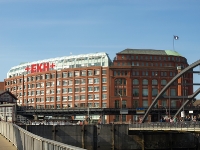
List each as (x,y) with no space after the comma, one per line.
(32,30)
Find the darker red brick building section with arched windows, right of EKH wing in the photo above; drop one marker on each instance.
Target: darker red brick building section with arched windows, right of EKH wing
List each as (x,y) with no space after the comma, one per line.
(137,76)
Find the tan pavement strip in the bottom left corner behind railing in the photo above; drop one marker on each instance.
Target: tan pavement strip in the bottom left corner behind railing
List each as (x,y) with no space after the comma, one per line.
(5,144)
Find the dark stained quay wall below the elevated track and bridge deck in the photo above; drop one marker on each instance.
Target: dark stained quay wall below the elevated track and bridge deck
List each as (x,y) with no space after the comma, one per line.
(115,137)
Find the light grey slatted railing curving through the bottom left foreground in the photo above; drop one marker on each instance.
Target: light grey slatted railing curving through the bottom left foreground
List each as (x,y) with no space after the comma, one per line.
(25,140)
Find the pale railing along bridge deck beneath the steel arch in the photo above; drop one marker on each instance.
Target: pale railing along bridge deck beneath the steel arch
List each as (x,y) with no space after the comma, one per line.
(185,125)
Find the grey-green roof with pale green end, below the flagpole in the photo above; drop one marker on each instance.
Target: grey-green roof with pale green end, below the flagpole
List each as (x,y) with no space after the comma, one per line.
(149,52)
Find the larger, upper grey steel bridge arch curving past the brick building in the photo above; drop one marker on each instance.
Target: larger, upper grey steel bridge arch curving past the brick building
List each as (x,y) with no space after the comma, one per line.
(193,65)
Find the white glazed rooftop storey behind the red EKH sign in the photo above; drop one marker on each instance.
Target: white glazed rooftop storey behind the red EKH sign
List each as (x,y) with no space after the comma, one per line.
(72,61)
